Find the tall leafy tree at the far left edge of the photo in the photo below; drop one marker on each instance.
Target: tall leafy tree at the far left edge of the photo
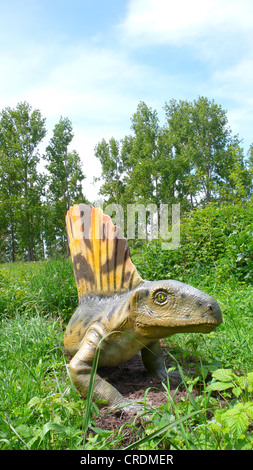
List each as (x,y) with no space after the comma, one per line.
(21,131)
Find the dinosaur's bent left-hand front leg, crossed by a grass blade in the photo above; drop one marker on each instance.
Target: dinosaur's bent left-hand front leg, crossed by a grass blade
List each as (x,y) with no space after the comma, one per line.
(80,371)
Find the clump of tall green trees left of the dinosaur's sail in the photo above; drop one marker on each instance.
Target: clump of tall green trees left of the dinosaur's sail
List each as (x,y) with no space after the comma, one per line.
(33,204)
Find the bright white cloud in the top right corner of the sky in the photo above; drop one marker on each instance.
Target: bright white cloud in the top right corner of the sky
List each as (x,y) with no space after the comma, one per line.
(181,21)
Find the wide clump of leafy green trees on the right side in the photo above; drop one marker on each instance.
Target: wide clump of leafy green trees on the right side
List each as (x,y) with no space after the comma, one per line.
(193,159)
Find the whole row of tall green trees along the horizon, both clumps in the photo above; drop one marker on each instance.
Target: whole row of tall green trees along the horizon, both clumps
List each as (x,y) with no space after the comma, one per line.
(193,159)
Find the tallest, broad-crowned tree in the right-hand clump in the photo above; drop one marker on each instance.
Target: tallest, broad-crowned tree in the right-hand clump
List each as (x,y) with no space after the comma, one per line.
(200,137)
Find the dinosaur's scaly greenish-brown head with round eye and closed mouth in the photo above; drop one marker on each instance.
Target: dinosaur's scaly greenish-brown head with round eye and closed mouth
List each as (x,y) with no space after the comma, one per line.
(161,308)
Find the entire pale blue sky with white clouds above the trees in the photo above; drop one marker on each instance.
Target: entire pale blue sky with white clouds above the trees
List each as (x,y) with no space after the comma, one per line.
(93,62)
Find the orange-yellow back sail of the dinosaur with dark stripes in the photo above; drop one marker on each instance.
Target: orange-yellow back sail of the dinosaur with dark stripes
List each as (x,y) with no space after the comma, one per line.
(100,254)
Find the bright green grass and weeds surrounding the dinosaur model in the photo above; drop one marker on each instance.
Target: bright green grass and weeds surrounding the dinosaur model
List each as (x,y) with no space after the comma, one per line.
(40,409)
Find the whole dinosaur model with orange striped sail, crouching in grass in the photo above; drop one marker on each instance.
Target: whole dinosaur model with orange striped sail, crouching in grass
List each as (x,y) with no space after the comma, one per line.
(118,310)
